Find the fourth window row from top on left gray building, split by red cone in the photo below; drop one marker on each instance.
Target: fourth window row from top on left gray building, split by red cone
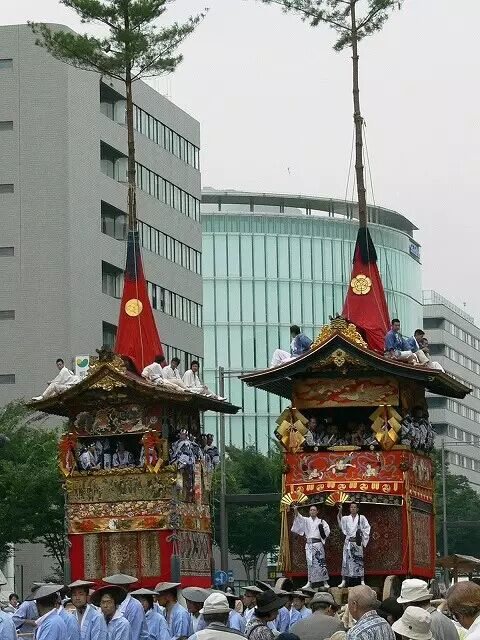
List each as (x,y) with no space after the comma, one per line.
(161,299)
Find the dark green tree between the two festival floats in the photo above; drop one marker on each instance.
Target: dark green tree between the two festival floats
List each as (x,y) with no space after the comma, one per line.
(253,530)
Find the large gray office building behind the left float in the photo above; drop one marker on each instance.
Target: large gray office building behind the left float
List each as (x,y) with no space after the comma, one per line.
(62,220)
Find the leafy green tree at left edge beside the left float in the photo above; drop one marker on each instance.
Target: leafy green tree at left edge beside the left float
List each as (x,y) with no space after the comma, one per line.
(31,496)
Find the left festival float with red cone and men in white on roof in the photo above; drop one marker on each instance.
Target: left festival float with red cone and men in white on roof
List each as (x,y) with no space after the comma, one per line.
(143,513)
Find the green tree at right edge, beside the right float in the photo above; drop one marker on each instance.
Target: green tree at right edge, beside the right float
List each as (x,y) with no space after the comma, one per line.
(463,512)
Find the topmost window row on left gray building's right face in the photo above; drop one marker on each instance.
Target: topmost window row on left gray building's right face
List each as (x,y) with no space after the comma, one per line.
(166,137)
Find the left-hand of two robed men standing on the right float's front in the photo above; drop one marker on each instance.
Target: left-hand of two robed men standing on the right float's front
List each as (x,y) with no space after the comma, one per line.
(316,532)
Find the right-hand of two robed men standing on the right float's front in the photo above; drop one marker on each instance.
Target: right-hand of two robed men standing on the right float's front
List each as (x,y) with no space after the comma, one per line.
(356,529)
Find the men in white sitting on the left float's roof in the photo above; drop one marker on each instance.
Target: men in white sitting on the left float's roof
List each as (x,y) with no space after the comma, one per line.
(158,373)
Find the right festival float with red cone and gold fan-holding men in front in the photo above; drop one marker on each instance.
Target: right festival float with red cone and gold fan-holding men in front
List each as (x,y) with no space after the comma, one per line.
(358,431)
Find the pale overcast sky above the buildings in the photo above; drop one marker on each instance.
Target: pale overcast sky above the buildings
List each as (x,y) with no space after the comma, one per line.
(274,103)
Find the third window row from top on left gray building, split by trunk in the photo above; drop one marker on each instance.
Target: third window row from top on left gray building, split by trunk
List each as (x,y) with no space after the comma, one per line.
(114,224)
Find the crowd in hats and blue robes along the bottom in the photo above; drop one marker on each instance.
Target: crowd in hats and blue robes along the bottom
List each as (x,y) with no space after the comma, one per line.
(116,611)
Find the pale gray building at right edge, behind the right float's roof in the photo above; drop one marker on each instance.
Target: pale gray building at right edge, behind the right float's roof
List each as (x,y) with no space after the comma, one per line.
(455,343)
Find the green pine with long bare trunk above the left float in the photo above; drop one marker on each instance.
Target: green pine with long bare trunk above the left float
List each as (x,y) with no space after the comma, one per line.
(134,48)
